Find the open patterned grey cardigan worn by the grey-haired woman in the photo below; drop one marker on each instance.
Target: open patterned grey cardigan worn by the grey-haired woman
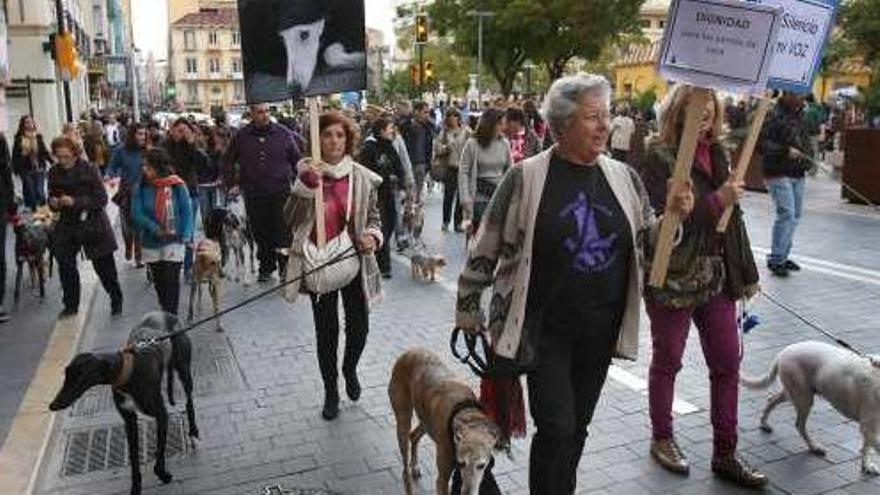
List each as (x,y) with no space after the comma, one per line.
(501,256)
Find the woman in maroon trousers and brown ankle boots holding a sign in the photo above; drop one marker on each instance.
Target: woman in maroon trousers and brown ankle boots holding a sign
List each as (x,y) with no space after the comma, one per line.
(708,273)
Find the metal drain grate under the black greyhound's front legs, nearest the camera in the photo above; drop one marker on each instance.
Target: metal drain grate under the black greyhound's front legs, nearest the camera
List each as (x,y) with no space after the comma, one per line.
(105,447)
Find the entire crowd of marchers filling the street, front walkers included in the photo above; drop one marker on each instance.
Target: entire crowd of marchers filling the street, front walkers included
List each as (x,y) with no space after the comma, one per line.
(562,205)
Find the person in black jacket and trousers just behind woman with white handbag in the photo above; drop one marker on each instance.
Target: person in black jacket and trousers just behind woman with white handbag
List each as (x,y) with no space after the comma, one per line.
(378,154)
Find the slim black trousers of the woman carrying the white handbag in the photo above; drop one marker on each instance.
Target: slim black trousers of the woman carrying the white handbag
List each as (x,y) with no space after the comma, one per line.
(325,309)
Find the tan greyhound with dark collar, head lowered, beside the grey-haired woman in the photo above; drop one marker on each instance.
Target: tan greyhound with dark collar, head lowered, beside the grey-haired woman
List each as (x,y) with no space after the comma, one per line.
(449,413)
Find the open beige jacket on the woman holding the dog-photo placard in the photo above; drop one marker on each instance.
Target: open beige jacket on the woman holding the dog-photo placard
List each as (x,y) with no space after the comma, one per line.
(299,215)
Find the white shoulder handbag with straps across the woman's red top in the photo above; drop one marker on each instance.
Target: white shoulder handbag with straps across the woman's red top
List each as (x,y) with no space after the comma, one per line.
(335,265)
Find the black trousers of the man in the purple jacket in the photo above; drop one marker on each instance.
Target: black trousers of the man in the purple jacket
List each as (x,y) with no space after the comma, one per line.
(266,217)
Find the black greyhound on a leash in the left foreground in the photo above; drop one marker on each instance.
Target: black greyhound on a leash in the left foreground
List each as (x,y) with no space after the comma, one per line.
(136,376)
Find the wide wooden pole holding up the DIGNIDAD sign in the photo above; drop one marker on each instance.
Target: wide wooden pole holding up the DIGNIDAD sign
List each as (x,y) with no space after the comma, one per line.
(687,147)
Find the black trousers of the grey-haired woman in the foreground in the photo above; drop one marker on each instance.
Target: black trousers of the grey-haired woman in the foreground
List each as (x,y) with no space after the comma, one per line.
(563,391)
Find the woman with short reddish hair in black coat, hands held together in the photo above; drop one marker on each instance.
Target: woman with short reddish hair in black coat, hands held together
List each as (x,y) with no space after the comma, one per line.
(77,191)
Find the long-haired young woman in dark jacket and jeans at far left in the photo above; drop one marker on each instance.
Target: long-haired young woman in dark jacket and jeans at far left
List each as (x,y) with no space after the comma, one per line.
(30,159)
